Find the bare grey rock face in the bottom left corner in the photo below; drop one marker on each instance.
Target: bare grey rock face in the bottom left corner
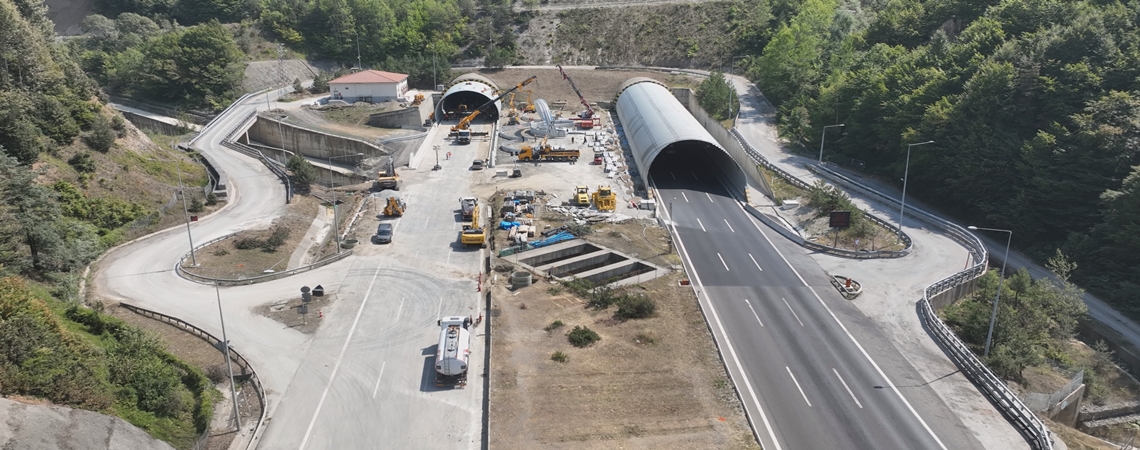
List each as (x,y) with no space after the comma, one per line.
(51,428)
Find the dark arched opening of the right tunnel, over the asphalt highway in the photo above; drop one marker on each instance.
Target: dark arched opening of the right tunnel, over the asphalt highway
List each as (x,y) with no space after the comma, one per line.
(697,166)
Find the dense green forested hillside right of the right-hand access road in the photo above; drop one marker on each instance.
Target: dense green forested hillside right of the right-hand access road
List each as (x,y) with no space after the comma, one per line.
(1033,107)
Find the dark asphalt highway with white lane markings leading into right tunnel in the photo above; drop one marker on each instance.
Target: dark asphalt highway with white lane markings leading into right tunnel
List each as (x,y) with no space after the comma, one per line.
(812,373)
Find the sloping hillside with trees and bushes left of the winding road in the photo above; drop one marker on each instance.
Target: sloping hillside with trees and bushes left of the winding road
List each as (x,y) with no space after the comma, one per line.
(76,181)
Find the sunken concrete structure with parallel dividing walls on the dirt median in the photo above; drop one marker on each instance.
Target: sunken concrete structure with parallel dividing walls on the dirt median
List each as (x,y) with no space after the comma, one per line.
(582,260)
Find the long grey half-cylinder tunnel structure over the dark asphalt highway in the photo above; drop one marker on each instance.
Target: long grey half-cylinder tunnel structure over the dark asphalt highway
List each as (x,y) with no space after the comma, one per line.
(662,132)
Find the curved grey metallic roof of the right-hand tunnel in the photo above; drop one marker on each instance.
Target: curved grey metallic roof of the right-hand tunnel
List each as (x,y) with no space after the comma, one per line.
(654,119)
